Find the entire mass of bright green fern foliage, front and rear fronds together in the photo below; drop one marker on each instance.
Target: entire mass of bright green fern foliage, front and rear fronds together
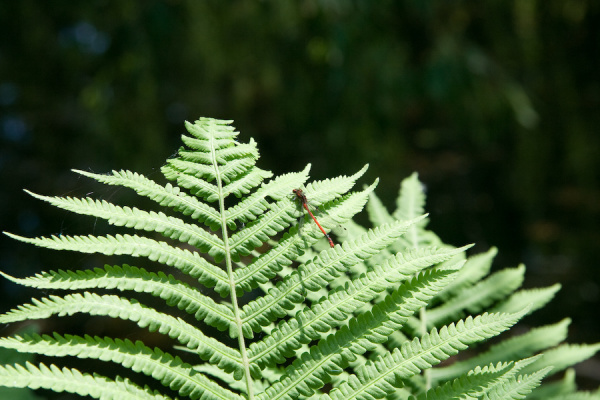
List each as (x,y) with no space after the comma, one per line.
(366,319)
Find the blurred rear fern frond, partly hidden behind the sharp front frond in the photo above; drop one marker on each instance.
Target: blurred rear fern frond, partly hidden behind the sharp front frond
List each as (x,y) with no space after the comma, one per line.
(536,353)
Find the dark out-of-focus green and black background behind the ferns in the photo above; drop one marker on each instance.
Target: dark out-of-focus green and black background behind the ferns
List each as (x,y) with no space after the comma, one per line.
(496,104)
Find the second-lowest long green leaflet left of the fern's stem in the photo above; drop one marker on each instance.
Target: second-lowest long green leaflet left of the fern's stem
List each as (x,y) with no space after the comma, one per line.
(170,371)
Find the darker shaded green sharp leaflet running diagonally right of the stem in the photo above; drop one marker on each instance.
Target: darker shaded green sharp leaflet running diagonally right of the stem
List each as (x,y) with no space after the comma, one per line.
(313,368)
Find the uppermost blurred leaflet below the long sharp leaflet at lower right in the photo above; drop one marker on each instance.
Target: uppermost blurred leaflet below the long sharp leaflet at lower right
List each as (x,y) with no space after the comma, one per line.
(510,349)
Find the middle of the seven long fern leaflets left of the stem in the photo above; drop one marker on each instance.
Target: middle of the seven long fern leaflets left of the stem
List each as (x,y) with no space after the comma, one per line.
(139,280)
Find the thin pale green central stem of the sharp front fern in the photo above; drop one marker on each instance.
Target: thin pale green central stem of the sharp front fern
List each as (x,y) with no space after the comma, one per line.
(231,276)
